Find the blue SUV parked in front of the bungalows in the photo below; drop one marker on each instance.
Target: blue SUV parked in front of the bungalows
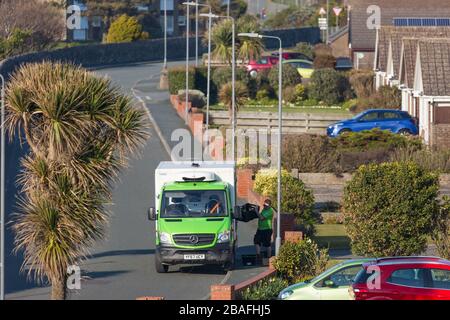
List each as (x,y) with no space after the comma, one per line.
(395,121)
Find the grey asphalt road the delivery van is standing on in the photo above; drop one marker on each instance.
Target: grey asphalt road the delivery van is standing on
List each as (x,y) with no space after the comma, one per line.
(122,265)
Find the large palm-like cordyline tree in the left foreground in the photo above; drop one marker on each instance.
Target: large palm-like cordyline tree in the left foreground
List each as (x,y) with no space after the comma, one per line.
(80,130)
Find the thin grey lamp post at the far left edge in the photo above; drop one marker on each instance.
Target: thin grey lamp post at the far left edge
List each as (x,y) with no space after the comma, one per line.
(2,187)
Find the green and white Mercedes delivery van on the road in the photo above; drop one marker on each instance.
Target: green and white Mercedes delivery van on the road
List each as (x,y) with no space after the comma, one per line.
(195,215)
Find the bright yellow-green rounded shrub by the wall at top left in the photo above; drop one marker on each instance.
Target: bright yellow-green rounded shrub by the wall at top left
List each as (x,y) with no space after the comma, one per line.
(125,29)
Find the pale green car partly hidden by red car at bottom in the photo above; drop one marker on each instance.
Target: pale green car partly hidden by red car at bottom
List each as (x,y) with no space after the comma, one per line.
(331,285)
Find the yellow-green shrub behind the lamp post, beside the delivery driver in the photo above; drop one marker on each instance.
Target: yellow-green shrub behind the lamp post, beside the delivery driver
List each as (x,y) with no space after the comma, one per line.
(296,199)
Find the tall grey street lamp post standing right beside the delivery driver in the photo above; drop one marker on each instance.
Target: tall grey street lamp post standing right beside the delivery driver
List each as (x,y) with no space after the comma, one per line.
(280,129)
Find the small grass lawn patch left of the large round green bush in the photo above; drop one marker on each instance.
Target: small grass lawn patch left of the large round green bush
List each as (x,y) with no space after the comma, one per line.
(332,236)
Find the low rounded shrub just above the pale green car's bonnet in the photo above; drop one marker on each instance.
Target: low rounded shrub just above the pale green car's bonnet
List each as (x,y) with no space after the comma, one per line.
(301,261)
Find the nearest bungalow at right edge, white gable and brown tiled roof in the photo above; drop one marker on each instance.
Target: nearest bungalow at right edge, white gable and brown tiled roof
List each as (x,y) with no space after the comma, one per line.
(431,90)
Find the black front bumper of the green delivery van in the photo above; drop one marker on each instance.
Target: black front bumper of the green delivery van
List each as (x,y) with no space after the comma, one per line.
(219,254)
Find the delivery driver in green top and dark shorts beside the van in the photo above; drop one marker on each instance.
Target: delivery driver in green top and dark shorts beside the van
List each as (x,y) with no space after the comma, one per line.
(263,236)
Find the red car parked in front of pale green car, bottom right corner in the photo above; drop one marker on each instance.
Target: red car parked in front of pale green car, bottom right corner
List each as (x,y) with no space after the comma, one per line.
(403,278)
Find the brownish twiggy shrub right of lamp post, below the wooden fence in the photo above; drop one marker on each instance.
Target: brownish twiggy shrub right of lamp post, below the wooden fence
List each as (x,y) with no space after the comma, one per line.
(309,153)
